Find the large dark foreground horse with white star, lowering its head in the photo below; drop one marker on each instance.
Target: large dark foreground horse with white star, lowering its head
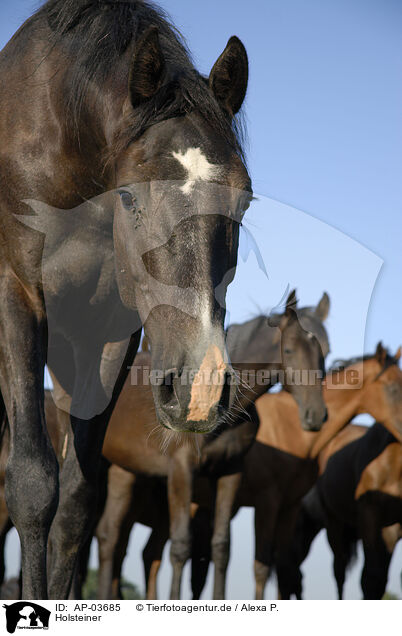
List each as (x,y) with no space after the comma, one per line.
(102,97)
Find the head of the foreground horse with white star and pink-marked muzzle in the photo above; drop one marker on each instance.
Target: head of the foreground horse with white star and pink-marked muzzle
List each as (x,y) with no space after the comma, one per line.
(180,191)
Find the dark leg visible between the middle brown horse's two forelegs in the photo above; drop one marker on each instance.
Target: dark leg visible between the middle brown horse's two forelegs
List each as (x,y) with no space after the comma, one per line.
(201,552)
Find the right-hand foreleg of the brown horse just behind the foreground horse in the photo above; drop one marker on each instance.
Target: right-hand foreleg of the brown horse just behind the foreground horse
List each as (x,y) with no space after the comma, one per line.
(227,489)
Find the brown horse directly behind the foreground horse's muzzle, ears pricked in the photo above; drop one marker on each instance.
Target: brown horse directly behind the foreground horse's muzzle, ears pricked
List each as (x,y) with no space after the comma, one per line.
(134,444)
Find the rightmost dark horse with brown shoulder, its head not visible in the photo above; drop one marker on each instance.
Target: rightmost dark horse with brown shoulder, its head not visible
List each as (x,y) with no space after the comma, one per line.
(358,496)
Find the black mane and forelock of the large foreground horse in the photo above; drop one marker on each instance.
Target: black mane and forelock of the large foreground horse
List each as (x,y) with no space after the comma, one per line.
(96,34)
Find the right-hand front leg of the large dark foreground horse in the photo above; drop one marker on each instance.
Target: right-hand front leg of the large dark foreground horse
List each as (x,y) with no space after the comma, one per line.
(79,480)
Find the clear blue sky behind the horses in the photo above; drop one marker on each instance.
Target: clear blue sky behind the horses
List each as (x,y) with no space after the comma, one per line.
(325,140)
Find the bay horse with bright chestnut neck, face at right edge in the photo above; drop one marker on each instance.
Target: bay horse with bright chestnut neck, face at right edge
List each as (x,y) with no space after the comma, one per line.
(282,465)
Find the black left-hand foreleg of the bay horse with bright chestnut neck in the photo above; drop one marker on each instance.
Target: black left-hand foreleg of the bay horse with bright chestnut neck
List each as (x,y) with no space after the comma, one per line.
(264,526)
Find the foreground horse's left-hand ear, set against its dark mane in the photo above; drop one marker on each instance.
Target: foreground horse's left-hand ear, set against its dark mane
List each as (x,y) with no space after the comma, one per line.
(147,67)
